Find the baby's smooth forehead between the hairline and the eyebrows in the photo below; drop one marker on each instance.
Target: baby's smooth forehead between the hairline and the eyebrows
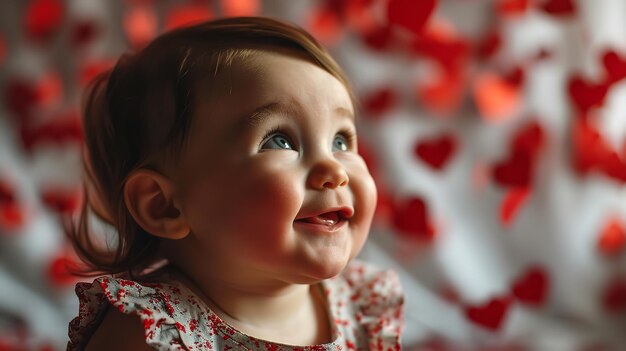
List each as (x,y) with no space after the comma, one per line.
(267,77)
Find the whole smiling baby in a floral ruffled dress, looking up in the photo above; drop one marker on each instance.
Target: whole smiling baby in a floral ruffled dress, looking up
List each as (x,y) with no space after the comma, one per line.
(225,156)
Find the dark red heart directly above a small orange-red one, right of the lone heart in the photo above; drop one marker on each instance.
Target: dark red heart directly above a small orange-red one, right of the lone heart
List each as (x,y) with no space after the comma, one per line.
(515,171)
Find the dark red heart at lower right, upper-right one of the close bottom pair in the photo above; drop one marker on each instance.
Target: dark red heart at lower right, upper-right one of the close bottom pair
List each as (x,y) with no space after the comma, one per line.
(532,287)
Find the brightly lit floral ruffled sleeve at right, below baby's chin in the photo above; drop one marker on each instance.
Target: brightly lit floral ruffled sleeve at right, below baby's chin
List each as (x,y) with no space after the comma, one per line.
(380,305)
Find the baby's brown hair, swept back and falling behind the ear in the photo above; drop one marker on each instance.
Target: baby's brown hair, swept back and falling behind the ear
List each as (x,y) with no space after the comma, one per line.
(139,113)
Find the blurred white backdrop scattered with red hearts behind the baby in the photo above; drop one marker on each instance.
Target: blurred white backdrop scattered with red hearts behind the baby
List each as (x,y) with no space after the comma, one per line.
(495,129)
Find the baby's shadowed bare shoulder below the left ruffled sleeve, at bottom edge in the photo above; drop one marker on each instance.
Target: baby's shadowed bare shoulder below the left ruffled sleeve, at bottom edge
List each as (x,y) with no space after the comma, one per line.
(118,331)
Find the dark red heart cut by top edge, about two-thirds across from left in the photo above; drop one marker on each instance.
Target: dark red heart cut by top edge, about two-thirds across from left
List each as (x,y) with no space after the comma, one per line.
(410,14)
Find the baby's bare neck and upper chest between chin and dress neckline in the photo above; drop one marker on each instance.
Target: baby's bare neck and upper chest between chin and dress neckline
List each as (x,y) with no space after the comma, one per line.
(280,312)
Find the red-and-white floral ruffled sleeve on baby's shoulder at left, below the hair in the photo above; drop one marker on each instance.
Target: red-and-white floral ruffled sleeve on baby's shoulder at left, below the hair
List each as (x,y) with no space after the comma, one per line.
(154,304)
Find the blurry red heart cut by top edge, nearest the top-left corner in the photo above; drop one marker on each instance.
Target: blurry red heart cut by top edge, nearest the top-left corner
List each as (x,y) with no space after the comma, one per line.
(43,18)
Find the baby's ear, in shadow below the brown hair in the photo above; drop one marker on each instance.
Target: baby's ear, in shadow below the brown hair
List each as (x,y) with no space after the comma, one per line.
(149,198)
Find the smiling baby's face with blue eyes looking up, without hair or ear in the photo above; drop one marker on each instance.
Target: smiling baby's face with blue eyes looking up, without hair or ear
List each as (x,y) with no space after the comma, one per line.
(271,184)
